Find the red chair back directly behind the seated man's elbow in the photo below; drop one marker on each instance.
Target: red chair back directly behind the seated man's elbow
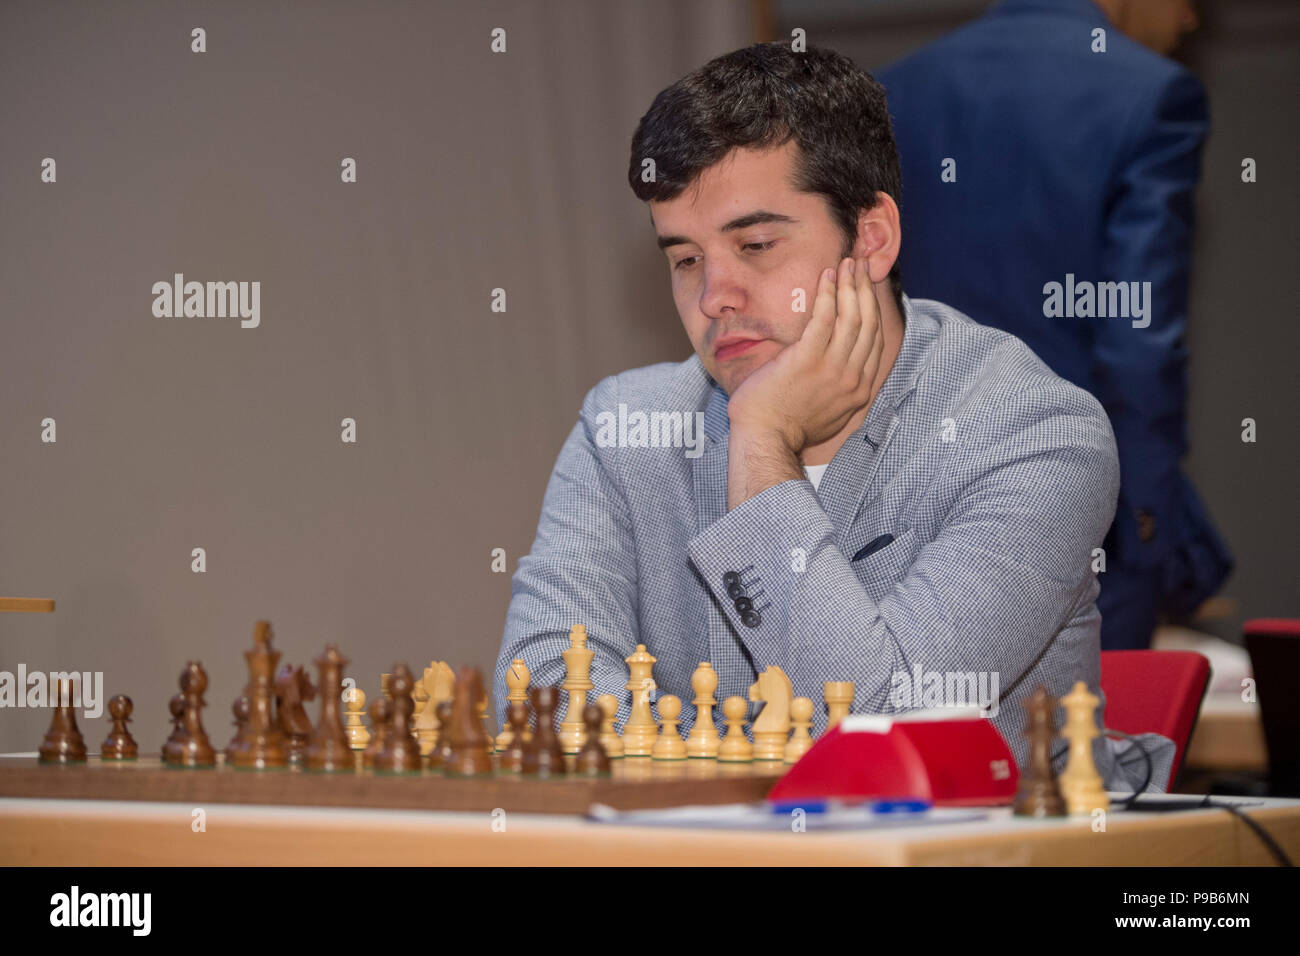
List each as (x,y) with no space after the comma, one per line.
(1155,693)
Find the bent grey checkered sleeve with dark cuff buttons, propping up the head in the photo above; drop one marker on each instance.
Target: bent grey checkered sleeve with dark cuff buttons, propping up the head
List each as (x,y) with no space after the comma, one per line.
(990,592)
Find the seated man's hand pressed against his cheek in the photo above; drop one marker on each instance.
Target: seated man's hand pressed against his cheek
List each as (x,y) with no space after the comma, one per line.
(811,391)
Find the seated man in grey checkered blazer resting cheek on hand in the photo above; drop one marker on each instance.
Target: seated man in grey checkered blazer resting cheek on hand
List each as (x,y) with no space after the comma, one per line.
(885,491)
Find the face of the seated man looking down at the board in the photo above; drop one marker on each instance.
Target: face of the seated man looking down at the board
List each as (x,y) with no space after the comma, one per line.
(739,243)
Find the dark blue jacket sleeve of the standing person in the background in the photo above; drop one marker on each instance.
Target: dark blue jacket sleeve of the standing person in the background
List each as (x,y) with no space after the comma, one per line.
(1141,365)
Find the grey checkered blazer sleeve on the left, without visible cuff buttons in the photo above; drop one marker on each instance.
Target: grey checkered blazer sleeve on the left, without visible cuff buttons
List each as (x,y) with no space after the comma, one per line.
(582,569)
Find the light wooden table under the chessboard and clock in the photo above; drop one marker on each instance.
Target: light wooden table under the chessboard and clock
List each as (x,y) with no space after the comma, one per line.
(131,829)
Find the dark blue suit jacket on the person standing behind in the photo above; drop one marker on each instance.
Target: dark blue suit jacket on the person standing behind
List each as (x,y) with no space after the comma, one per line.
(1069,163)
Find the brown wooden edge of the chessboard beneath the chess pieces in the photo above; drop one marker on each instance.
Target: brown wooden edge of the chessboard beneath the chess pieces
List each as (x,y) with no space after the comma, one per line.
(632,784)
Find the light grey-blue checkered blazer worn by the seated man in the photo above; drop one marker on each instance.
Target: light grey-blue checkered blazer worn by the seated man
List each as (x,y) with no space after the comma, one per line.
(952,534)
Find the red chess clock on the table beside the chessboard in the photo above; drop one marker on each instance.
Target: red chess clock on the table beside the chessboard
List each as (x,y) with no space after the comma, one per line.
(948,759)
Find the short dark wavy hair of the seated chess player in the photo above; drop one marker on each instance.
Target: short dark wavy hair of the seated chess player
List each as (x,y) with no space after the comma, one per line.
(764,97)
